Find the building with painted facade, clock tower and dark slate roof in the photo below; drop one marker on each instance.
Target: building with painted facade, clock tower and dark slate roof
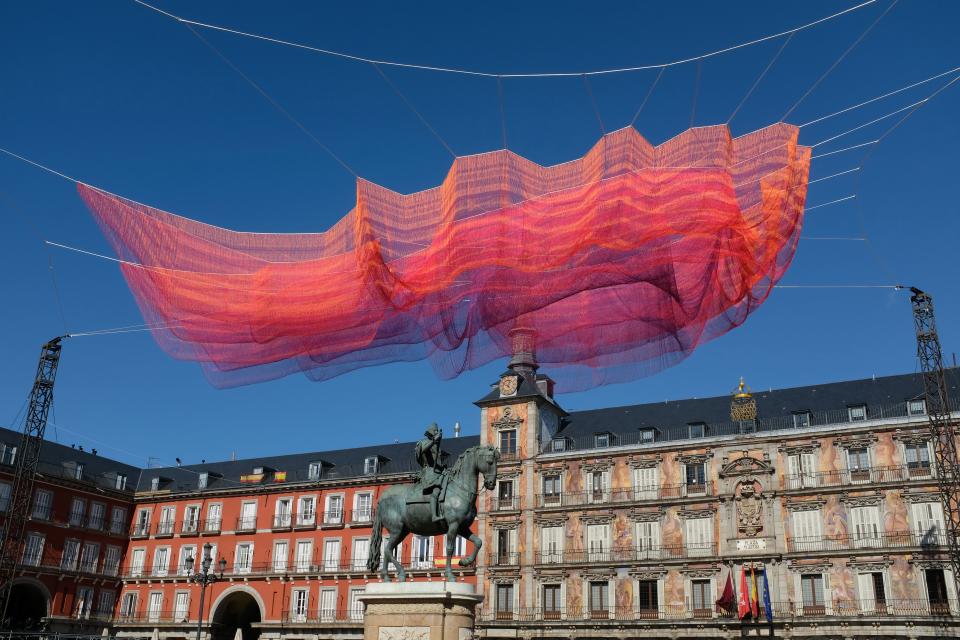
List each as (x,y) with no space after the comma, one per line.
(628,521)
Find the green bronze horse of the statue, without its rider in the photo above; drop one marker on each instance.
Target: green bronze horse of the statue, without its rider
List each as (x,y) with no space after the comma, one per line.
(402,509)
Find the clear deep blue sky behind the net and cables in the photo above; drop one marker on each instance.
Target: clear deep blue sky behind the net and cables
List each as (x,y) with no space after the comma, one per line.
(125,99)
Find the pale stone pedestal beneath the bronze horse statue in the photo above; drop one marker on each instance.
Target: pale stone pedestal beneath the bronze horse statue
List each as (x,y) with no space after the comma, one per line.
(419,611)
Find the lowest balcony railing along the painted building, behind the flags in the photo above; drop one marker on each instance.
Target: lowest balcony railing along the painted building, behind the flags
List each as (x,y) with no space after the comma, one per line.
(782,611)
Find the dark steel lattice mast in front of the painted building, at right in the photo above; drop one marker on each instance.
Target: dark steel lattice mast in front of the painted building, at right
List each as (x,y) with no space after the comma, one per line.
(942,431)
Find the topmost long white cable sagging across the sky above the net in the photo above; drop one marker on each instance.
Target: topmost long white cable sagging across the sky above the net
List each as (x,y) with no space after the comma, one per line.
(393,63)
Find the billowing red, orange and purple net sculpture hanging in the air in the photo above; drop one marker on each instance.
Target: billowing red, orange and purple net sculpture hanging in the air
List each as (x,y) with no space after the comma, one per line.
(620,263)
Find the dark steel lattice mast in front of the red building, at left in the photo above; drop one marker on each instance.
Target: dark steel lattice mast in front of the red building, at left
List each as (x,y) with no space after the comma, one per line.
(27,457)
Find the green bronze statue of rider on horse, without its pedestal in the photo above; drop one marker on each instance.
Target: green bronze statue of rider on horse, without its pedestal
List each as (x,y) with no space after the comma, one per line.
(441,501)
